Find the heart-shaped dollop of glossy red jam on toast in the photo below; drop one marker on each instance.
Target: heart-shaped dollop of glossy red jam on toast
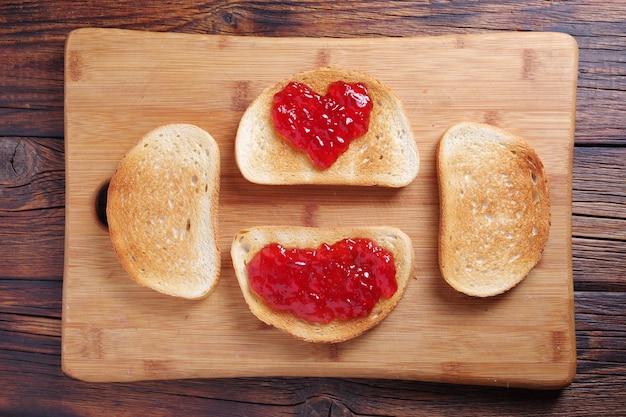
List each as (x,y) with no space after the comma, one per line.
(323,126)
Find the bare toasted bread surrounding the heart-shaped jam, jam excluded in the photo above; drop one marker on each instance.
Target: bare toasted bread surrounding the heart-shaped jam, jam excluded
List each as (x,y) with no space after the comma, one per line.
(386,155)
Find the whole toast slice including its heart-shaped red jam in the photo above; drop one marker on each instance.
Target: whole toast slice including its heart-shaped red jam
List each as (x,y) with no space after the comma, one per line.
(327,126)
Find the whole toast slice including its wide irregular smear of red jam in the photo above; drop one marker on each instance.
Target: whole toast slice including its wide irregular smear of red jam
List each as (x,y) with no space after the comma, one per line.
(323,285)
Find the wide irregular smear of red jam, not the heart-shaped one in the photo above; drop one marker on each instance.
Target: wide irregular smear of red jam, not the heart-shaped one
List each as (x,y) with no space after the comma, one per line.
(342,281)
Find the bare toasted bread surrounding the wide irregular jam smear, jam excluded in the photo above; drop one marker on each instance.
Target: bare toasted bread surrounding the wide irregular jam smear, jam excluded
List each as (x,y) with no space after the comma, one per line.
(247,243)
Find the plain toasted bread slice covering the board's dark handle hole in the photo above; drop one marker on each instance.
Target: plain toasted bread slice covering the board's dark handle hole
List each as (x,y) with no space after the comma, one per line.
(162,211)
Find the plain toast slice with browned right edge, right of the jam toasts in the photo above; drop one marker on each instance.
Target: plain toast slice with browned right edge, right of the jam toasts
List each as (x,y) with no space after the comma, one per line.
(495,209)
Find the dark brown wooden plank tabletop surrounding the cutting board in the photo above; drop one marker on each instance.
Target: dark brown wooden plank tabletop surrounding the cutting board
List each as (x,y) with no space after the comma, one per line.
(32,182)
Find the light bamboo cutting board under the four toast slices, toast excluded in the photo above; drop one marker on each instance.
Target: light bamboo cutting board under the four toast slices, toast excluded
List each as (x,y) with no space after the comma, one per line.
(121,84)
